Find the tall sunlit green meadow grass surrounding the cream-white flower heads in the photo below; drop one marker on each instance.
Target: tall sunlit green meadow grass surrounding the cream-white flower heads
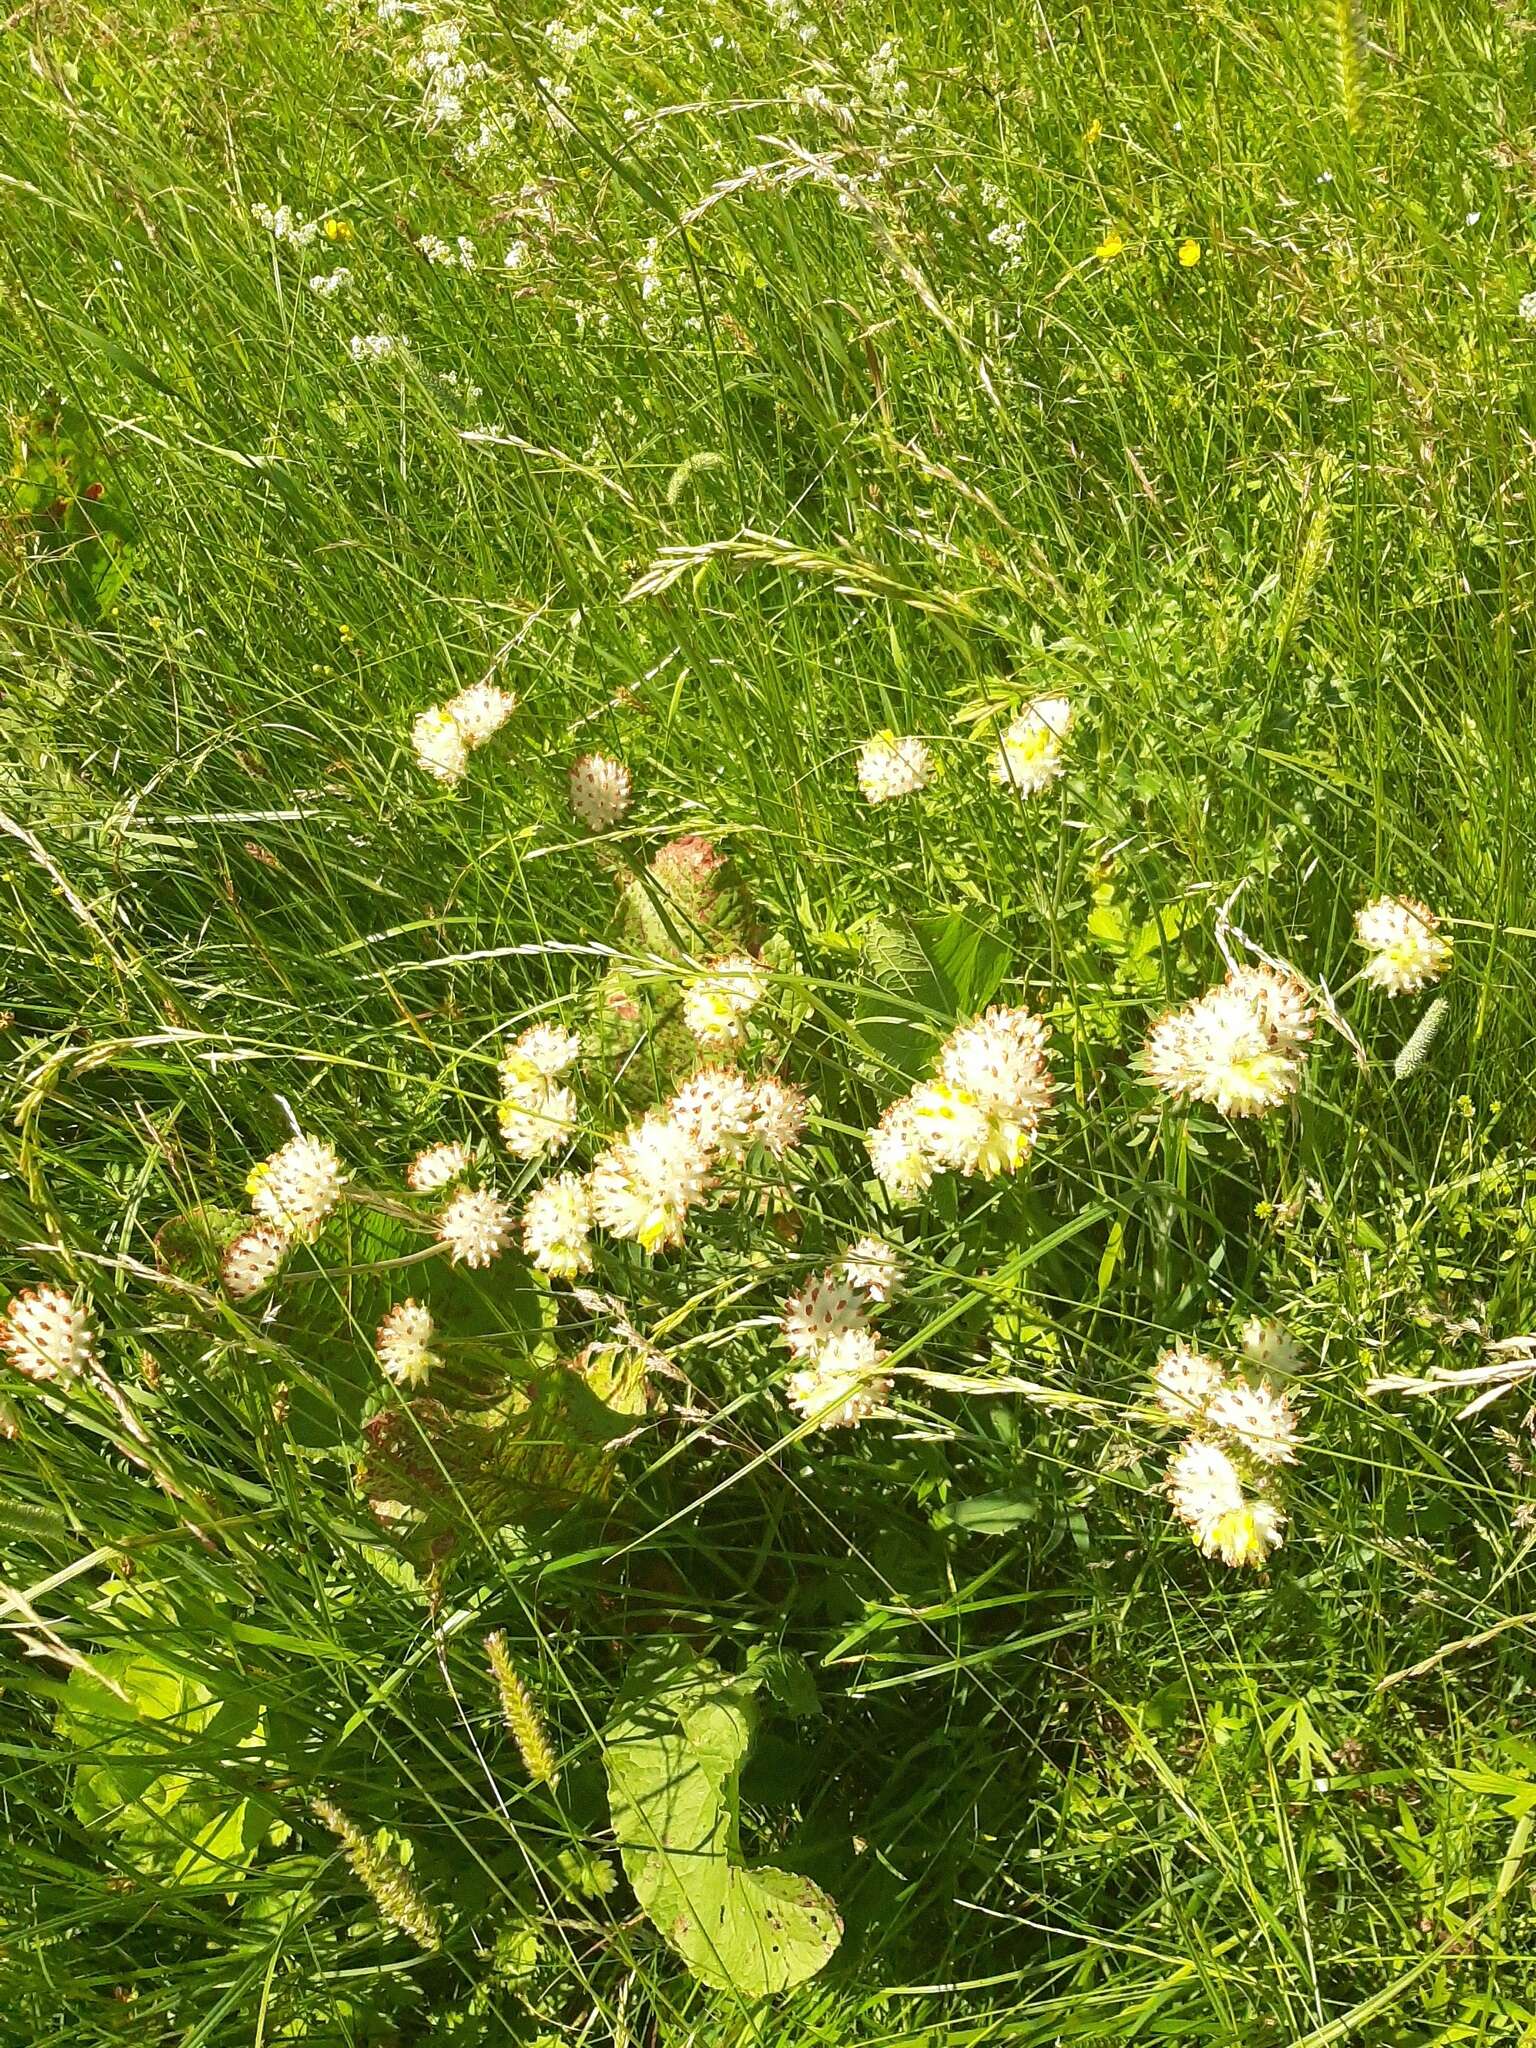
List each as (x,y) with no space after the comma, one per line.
(816,374)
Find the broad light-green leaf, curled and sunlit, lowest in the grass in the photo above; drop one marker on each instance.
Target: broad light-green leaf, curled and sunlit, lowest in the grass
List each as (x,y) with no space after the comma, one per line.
(675,1766)
